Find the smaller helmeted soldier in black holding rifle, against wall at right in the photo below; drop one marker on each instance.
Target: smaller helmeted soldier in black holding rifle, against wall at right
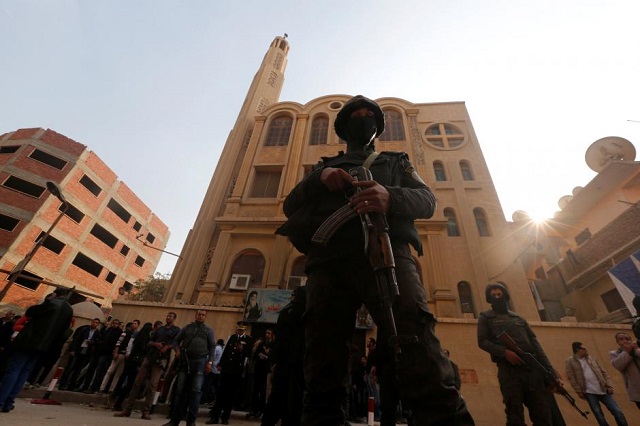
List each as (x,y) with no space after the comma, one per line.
(519,384)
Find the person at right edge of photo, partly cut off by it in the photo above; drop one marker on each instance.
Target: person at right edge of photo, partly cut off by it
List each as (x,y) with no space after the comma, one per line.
(626,359)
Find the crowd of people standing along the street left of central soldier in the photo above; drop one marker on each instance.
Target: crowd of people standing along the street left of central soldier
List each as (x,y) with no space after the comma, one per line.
(127,362)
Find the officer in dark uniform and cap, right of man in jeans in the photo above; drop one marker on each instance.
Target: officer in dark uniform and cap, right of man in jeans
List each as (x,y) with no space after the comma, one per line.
(231,368)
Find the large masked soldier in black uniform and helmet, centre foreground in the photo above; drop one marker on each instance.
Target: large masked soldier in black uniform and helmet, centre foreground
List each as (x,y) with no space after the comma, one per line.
(340,277)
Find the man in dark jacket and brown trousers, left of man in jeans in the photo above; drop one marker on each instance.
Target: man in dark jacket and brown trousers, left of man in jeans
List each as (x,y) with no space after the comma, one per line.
(152,368)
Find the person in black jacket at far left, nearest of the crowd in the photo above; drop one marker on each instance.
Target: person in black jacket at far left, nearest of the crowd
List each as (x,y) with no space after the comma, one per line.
(47,324)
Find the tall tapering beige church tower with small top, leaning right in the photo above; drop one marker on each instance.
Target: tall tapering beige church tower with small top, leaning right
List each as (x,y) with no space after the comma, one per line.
(190,273)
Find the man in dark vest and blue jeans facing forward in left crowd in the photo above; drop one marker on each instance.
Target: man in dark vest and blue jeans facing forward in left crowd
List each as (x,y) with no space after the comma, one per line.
(194,347)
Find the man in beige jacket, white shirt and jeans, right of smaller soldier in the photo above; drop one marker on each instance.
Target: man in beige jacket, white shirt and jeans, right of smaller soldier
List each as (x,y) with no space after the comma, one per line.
(591,382)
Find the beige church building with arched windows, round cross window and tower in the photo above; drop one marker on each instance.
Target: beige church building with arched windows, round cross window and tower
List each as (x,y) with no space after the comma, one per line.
(273,144)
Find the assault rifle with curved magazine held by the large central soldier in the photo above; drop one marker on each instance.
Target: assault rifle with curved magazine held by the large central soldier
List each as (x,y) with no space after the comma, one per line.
(378,249)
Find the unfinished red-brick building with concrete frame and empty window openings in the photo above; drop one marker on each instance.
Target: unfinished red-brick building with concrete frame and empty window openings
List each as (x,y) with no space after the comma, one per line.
(106,239)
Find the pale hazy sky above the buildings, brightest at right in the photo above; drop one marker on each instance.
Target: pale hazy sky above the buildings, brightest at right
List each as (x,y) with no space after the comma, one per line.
(153,87)
